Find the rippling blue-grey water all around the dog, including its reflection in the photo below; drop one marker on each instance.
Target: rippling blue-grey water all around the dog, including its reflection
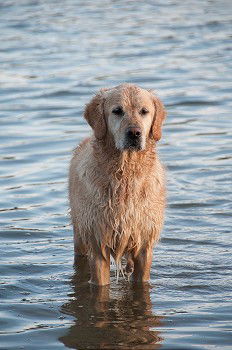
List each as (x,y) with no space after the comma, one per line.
(54,56)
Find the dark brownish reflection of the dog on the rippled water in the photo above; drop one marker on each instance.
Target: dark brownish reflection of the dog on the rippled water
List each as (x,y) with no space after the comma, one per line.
(115,317)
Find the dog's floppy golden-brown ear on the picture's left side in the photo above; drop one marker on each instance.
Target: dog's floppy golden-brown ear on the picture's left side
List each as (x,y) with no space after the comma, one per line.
(94,114)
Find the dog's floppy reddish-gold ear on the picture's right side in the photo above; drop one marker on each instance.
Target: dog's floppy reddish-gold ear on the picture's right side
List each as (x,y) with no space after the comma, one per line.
(159,117)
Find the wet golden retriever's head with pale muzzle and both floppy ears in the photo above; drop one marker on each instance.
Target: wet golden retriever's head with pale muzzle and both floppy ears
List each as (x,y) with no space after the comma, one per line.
(128,114)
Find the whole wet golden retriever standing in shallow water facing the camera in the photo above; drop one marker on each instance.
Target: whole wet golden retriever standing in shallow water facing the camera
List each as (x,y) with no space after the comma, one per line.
(117,184)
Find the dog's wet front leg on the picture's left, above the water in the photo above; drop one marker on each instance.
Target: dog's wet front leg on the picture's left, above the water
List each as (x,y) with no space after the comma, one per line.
(99,262)
